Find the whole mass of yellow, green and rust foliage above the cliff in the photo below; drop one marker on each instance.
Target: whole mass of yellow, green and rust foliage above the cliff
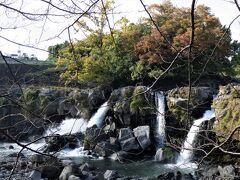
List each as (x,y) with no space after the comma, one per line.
(138,51)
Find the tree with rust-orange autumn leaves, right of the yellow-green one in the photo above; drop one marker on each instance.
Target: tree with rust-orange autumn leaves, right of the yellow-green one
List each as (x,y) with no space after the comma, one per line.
(158,49)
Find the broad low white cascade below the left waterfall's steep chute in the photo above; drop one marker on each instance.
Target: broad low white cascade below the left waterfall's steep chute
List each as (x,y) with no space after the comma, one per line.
(69,126)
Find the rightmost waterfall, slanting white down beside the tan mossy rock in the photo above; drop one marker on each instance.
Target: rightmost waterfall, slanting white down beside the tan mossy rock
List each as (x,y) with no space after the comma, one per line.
(187,149)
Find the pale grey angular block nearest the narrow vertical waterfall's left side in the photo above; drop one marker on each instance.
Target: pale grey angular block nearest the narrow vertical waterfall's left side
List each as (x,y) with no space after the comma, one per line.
(142,133)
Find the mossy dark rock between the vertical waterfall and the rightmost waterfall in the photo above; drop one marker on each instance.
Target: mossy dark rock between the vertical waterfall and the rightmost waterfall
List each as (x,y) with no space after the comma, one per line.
(177,101)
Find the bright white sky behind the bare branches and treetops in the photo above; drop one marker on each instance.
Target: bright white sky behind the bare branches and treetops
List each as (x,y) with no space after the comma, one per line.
(31,33)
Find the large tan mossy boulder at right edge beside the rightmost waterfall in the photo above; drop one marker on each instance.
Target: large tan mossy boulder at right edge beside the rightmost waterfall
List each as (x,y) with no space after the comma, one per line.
(227,106)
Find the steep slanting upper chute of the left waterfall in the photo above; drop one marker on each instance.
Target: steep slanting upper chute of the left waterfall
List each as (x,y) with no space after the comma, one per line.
(99,116)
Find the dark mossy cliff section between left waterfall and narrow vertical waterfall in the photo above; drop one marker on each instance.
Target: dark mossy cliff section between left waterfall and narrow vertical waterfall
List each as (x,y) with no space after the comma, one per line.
(132,106)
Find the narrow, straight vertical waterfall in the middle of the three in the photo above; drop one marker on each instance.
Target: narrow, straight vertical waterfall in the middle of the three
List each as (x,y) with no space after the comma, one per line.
(160,129)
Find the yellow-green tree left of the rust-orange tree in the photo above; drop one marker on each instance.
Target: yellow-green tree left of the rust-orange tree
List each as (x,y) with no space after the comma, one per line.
(103,57)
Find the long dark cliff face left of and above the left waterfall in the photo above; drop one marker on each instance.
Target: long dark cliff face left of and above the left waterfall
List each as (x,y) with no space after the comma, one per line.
(26,114)
